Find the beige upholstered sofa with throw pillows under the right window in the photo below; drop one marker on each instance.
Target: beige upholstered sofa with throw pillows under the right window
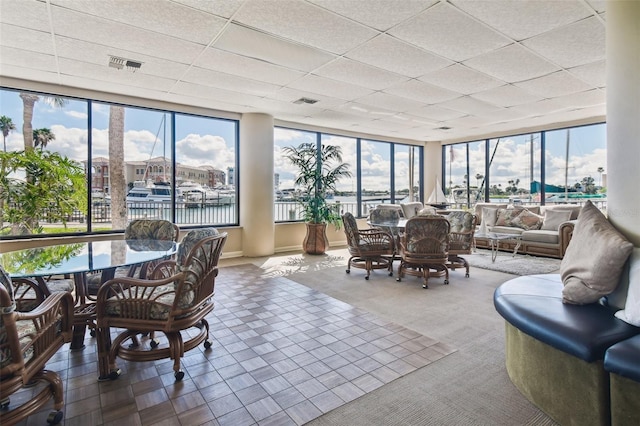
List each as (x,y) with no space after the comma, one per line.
(543,230)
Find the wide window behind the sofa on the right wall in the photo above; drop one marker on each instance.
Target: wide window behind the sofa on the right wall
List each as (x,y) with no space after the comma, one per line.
(571,170)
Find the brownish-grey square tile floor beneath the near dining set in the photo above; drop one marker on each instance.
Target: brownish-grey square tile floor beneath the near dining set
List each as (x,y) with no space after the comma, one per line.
(282,354)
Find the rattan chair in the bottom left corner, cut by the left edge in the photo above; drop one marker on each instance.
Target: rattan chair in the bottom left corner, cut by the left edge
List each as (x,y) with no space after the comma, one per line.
(28,340)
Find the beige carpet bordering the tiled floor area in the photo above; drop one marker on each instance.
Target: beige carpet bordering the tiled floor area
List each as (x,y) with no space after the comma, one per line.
(468,387)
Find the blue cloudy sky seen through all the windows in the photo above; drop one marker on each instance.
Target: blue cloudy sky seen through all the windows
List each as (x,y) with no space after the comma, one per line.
(206,141)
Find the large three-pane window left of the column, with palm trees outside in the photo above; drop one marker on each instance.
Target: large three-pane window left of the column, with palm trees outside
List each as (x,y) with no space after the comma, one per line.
(90,166)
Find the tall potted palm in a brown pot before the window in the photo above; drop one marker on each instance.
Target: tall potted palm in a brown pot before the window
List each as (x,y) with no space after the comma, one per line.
(319,170)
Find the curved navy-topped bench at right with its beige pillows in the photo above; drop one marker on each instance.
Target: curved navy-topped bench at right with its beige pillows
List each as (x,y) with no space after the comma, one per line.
(572,339)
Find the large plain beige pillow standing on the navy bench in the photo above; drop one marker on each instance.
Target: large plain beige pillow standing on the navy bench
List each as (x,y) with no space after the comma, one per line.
(594,259)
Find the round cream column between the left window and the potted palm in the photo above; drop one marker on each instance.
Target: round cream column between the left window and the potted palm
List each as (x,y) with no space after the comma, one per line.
(256,185)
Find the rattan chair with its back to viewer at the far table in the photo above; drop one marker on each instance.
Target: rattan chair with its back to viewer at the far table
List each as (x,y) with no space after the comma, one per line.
(424,246)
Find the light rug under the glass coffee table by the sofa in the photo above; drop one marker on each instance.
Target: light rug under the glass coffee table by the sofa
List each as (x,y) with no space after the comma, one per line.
(520,264)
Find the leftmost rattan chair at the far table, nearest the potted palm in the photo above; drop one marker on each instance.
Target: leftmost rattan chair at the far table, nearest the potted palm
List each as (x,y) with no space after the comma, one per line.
(369,248)
